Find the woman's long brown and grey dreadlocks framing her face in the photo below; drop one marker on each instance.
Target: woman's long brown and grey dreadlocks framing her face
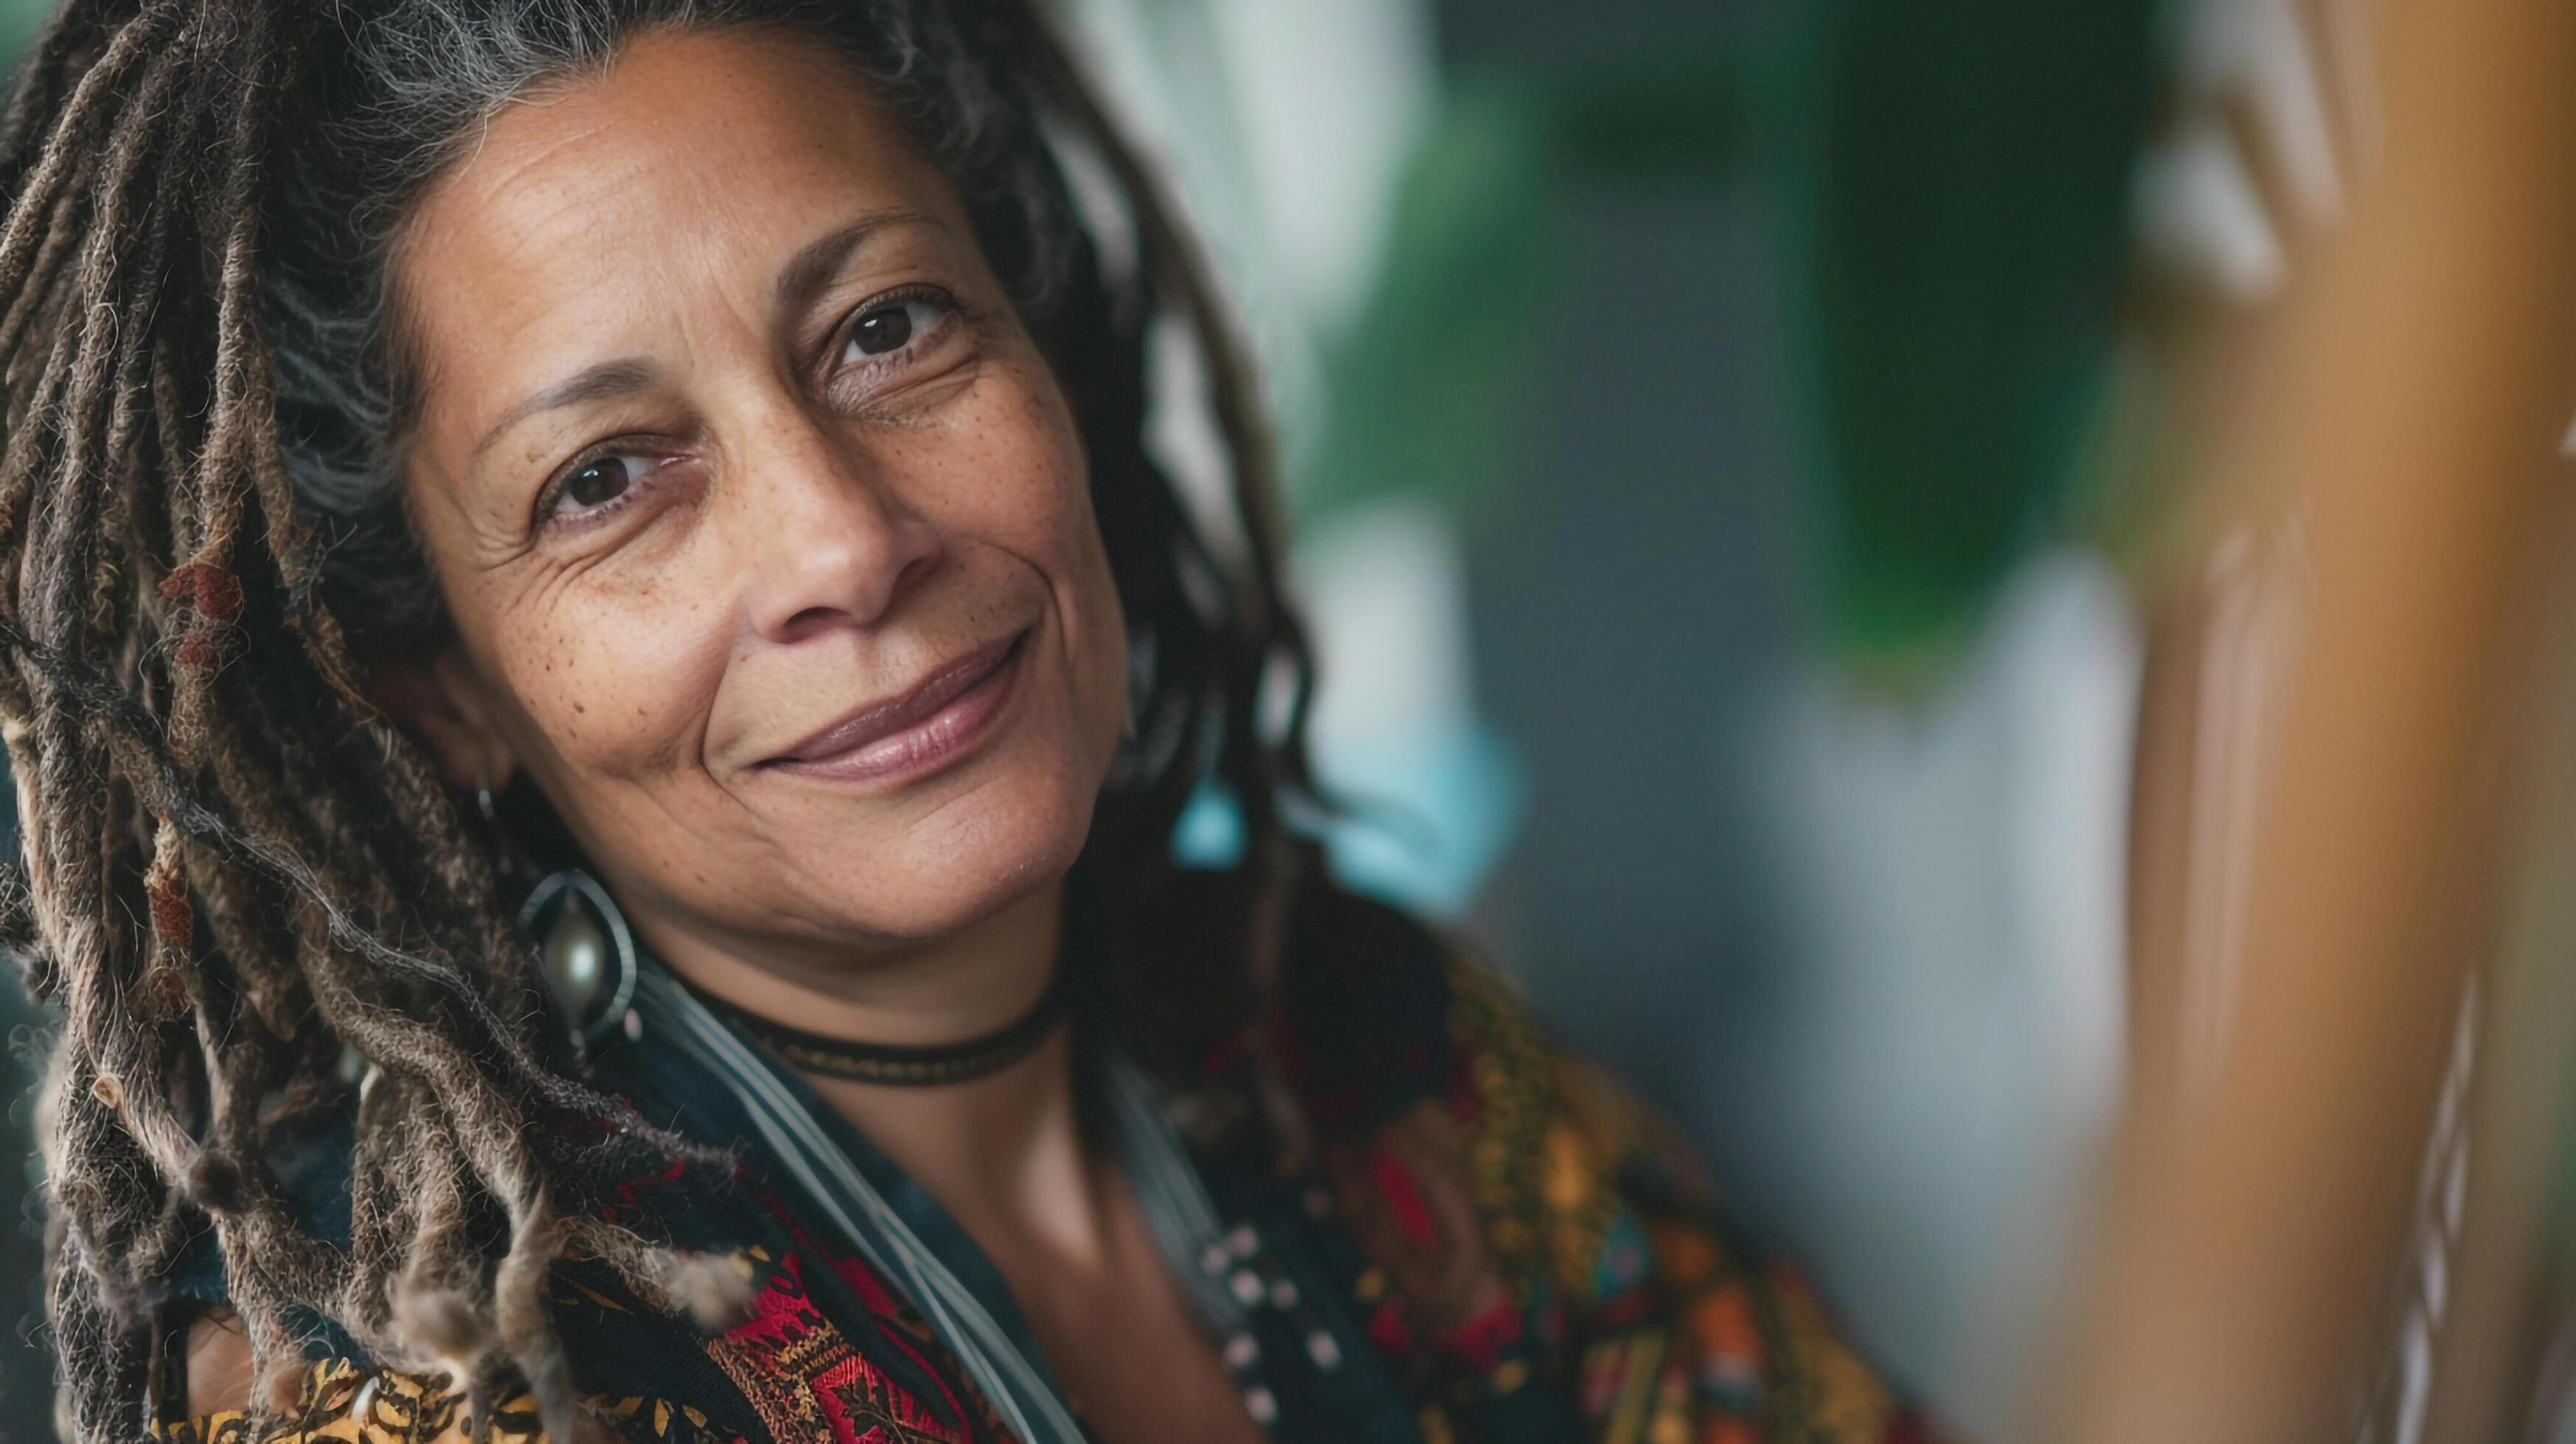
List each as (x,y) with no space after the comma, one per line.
(238,876)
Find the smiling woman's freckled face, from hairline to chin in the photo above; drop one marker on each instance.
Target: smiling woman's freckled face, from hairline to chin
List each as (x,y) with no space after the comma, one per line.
(764,524)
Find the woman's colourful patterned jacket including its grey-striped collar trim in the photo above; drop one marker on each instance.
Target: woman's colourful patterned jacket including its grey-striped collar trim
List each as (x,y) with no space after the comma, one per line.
(1464,1237)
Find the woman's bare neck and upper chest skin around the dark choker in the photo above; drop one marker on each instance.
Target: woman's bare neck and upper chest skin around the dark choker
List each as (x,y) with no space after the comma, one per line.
(1003,1152)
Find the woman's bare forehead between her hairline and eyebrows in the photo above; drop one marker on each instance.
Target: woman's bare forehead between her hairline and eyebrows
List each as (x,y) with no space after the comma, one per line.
(692,176)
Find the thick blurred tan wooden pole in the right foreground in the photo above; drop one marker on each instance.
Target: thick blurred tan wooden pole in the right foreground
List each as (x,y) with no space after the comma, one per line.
(2412,403)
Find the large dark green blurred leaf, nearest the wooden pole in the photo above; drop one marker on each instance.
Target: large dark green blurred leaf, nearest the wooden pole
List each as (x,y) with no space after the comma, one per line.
(1959,215)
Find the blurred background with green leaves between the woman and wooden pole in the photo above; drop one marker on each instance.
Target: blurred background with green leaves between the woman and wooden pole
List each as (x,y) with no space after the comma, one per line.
(1753,586)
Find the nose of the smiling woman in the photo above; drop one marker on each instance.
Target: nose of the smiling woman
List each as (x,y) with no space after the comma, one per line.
(831,539)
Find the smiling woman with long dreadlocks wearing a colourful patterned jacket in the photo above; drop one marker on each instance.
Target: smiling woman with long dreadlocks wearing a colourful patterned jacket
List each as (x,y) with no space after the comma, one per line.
(601,678)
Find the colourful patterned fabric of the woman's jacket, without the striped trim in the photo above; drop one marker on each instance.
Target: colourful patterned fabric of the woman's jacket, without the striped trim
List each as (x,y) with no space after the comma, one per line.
(1459,1232)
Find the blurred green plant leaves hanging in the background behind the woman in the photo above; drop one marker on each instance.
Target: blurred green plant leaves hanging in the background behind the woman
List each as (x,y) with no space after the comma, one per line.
(1954,194)
